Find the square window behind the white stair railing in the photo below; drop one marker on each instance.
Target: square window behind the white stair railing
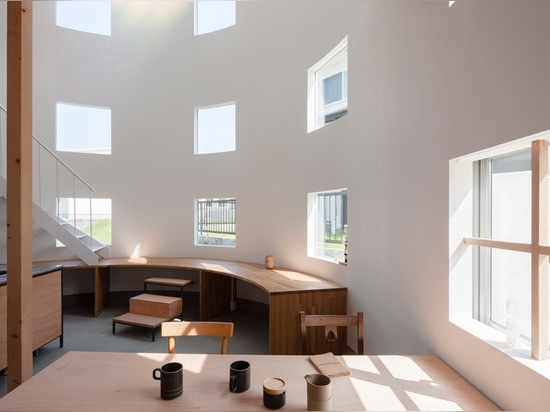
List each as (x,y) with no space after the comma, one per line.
(91,216)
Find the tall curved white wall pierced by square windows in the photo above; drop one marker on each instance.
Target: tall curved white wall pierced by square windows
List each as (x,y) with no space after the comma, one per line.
(427,83)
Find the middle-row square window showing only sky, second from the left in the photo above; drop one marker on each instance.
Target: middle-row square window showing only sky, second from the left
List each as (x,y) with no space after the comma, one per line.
(215,129)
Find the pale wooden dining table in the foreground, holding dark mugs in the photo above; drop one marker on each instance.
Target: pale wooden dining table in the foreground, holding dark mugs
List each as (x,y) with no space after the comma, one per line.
(123,382)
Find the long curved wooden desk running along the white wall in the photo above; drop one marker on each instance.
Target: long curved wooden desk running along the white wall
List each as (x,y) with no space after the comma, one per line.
(289,292)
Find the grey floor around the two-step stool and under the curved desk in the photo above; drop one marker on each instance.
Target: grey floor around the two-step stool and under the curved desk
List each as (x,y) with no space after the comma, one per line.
(84,332)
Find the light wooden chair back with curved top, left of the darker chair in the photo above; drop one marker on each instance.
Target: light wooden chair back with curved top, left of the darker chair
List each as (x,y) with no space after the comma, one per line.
(172,329)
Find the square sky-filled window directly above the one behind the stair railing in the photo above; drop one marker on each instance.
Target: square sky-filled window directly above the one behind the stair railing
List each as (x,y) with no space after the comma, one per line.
(83,129)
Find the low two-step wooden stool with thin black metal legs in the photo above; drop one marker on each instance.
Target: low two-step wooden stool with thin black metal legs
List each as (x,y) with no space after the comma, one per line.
(149,311)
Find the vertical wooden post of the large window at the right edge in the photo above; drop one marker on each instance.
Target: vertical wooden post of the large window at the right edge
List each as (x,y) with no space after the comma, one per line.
(539,262)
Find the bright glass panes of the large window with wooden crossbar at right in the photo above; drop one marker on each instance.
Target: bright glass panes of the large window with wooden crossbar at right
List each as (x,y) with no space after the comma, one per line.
(503,188)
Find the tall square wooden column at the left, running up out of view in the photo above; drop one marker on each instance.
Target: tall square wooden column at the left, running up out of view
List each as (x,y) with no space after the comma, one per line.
(19,191)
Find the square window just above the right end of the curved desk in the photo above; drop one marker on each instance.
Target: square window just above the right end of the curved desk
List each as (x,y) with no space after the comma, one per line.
(328,225)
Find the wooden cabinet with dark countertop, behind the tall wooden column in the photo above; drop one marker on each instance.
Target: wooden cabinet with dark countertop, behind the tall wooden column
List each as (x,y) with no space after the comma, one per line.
(46,311)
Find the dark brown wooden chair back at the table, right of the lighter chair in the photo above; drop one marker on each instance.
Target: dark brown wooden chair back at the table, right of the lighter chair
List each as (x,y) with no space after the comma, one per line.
(334,325)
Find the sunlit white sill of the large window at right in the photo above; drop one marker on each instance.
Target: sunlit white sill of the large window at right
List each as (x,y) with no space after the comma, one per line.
(497,340)
